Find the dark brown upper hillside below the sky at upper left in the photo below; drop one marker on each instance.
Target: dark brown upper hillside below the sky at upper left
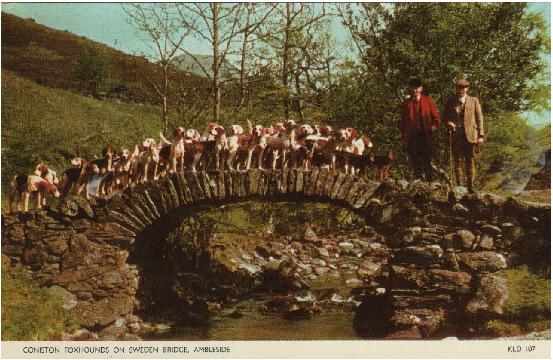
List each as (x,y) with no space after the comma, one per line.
(49,57)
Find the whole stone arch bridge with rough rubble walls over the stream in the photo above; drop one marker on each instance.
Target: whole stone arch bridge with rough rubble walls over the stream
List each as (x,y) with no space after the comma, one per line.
(439,266)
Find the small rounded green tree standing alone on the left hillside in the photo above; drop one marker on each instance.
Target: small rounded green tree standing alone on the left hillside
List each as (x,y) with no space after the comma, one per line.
(93,69)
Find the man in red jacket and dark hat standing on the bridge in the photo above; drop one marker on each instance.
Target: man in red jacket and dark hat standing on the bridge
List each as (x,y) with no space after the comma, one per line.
(419,121)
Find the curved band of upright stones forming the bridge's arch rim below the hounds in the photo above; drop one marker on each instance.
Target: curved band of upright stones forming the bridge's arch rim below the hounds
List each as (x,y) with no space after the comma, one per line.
(142,205)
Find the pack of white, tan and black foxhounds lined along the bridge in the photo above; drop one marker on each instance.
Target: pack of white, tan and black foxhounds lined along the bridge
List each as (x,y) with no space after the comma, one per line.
(280,146)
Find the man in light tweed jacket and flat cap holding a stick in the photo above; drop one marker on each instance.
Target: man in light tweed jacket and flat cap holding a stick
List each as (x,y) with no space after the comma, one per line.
(464,118)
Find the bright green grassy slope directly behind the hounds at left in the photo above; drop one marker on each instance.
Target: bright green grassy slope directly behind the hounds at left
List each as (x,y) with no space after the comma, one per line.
(52,125)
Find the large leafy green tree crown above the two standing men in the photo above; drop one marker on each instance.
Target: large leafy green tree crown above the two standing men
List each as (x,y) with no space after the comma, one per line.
(497,46)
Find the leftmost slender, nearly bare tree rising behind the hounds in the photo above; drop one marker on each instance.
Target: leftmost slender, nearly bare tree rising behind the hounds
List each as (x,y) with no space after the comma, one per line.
(164,35)
